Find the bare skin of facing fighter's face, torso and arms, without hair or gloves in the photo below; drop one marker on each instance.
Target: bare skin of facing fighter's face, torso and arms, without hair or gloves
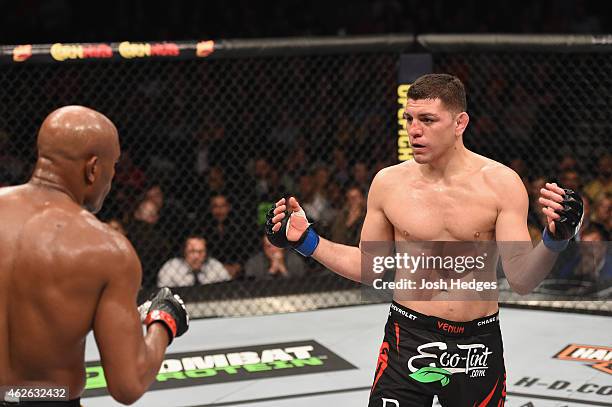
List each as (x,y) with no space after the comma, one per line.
(447,193)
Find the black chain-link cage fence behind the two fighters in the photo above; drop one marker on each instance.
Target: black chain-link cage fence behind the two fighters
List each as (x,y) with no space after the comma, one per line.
(208,145)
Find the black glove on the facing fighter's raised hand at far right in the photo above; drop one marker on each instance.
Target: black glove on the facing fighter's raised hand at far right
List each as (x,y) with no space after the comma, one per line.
(568,225)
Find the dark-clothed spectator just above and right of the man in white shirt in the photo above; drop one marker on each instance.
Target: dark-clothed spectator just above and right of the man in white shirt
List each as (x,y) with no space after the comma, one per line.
(228,238)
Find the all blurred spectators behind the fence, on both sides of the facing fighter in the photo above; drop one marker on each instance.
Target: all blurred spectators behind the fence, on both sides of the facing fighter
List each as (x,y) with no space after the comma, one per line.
(210,229)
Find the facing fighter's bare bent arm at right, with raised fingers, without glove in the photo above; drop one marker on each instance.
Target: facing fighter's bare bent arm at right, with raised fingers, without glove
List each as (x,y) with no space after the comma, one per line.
(525,266)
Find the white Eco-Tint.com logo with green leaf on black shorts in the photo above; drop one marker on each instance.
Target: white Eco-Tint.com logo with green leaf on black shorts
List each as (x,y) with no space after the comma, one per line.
(470,359)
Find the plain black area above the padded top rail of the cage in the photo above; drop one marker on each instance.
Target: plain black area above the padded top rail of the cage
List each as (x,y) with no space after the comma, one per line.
(69,20)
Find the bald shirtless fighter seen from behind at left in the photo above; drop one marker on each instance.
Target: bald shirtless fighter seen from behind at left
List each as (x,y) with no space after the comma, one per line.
(64,273)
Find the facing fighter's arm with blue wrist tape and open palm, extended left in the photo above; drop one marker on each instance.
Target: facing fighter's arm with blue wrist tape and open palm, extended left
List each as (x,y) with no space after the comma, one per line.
(341,259)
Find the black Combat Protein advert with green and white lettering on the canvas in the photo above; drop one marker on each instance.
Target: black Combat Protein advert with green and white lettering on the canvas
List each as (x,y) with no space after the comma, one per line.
(232,364)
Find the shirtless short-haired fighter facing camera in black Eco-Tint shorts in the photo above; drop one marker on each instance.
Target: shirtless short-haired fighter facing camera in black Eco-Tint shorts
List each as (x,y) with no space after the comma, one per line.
(447,193)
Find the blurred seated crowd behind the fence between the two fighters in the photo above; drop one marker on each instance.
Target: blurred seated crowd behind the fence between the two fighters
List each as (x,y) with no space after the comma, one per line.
(228,221)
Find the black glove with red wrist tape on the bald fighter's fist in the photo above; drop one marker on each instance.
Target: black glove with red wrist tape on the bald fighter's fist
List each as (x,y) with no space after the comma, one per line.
(168,309)
